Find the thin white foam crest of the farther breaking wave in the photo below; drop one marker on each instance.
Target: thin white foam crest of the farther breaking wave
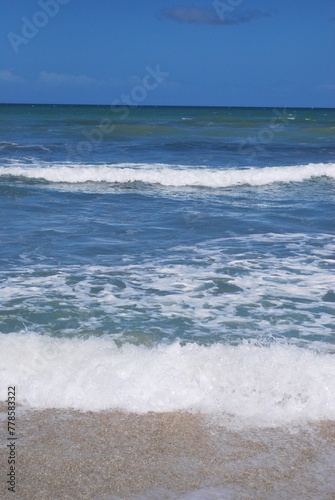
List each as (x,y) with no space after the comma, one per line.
(165,175)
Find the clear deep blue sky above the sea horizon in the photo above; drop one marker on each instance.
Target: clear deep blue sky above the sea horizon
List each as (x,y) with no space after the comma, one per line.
(159,52)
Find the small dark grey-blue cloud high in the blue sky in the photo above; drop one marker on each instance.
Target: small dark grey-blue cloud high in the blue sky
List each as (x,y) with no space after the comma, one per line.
(196,15)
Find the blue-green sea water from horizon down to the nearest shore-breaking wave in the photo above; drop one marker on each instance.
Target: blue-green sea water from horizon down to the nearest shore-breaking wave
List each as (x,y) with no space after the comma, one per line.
(235,250)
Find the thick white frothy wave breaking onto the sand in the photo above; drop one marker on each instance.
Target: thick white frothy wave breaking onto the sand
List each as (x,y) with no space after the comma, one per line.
(258,385)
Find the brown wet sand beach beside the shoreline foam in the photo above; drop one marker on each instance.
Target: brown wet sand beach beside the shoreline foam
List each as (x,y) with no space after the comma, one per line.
(107,455)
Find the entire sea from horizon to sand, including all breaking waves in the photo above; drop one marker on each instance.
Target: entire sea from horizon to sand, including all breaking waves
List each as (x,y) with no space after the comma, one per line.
(169,258)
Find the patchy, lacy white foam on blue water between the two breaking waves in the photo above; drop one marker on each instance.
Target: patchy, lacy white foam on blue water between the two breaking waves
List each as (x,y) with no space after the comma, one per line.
(218,289)
